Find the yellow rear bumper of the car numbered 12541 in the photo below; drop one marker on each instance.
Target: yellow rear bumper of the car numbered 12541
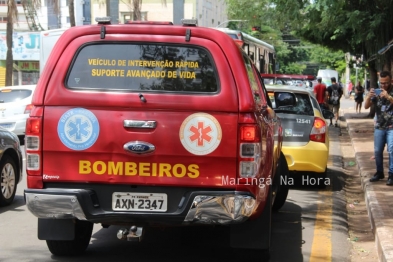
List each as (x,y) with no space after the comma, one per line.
(312,157)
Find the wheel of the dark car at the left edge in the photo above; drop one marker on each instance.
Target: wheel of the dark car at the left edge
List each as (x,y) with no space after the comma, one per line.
(8,178)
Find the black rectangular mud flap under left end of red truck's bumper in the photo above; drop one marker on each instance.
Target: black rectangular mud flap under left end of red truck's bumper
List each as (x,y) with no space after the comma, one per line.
(56,229)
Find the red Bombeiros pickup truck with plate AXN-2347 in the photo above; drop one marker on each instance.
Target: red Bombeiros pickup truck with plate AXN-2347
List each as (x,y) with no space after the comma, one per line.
(152,124)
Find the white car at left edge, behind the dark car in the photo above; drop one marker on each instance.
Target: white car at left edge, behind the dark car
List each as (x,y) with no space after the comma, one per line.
(15,106)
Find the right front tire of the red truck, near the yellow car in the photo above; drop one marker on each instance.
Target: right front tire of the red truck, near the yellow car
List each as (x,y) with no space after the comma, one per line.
(282,191)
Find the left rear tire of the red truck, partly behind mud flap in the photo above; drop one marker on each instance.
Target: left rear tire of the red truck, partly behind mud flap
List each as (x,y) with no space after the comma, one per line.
(83,231)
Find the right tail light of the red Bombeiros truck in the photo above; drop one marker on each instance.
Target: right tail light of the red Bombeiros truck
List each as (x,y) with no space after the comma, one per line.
(250,151)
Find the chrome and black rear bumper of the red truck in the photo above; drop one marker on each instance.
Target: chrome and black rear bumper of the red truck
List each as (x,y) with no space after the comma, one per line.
(203,207)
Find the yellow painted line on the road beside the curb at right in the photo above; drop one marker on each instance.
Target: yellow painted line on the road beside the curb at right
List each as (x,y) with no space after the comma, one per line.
(321,249)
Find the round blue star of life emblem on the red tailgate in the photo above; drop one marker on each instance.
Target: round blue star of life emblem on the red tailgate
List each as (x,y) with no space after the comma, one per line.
(78,128)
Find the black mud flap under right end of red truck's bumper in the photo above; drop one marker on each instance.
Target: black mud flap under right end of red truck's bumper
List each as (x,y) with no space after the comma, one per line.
(254,234)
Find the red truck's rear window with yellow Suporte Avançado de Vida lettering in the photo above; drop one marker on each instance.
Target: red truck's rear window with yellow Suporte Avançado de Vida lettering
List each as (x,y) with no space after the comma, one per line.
(143,67)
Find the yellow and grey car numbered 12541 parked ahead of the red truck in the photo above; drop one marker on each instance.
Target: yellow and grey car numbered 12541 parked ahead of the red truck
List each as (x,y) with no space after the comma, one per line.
(306,133)
